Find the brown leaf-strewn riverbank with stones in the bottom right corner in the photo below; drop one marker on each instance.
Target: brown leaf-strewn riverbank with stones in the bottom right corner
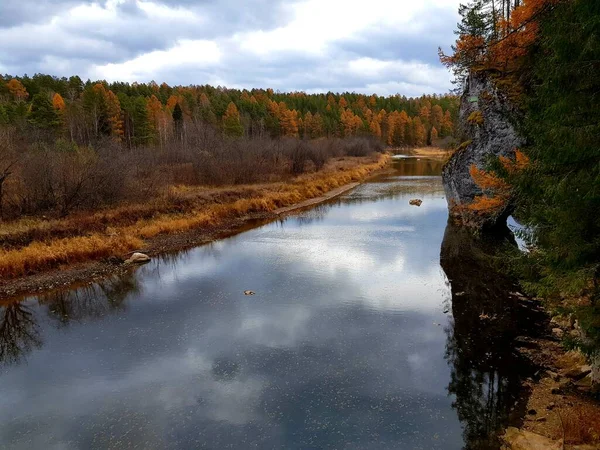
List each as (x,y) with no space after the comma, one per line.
(562,411)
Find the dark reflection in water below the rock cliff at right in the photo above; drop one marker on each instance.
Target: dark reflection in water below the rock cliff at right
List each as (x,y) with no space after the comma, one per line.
(487,372)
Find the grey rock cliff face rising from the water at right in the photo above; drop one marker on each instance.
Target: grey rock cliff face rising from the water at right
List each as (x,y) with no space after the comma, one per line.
(486,132)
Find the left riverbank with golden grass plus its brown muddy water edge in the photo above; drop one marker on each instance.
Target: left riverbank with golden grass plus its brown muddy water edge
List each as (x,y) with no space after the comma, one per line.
(42,255)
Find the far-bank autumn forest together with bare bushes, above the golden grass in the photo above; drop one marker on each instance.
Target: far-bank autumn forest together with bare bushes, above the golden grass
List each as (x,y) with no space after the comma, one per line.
(67,145)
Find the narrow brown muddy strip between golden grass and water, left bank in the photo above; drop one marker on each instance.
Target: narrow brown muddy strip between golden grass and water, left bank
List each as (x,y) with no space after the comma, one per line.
(78,274)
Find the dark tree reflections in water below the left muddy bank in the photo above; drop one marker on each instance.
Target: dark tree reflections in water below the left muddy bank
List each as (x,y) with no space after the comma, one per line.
(19,328)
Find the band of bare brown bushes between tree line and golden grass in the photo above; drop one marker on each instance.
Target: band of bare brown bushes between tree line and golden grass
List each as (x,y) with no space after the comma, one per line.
(62,177)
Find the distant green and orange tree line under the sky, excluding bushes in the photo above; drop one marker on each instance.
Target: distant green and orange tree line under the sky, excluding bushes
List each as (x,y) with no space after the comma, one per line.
(144,114)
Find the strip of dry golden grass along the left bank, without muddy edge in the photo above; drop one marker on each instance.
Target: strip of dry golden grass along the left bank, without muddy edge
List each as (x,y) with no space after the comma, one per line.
(36,245)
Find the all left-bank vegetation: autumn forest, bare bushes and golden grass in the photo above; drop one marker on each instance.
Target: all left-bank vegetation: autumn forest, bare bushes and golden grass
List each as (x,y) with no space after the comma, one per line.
(91,170)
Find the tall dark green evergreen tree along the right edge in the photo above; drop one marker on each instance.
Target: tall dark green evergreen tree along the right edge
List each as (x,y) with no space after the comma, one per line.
(559,195)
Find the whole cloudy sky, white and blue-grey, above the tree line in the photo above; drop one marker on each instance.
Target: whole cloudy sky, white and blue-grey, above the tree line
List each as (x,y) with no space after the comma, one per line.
(381,46)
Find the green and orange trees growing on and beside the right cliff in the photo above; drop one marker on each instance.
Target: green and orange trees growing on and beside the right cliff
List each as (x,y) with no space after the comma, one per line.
(544,57)
